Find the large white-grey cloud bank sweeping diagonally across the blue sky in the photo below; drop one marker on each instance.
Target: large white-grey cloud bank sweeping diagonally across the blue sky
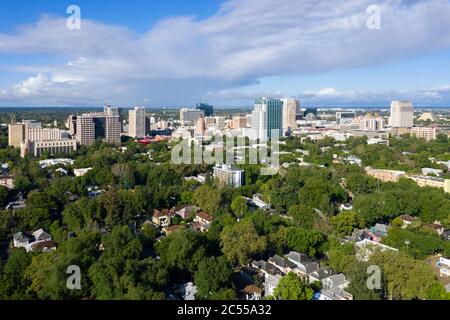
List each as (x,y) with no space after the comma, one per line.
(181,58)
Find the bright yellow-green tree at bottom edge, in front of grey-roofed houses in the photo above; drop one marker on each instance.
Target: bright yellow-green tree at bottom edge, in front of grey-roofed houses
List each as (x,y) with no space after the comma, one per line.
(292,287)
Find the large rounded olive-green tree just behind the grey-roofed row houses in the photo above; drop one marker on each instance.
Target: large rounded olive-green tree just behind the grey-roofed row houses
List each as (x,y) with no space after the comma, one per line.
(240,242)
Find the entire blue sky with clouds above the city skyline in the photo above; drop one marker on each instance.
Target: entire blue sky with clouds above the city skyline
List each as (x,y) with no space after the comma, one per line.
(226,52)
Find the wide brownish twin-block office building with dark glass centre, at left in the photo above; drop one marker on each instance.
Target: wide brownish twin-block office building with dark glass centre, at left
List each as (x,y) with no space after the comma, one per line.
(98,125)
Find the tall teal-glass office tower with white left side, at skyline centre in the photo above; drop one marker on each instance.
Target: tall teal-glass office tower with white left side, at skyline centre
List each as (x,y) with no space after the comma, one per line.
(267,118)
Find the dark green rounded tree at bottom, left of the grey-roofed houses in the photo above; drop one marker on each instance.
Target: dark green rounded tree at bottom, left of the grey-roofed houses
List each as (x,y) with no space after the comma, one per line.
(213,275)
